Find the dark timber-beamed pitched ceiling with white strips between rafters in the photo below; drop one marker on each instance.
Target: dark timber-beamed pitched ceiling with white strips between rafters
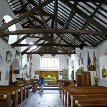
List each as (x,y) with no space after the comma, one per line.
(58,26)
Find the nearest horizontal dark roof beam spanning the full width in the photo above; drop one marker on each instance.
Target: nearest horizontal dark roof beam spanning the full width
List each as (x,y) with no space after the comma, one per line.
(51,31)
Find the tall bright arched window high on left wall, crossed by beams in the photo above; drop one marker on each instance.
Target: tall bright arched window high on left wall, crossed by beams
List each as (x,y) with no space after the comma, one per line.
(12,38)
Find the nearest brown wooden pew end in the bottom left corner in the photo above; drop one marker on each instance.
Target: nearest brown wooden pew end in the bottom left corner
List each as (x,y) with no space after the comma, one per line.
(5,100)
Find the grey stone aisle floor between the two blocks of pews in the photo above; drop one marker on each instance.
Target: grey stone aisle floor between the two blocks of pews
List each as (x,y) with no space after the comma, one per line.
(47,98)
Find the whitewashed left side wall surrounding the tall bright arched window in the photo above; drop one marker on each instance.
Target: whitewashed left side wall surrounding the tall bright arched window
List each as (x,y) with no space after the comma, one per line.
(4,66)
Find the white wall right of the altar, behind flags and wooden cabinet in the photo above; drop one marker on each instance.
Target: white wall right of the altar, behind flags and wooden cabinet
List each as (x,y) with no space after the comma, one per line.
(76,59)
